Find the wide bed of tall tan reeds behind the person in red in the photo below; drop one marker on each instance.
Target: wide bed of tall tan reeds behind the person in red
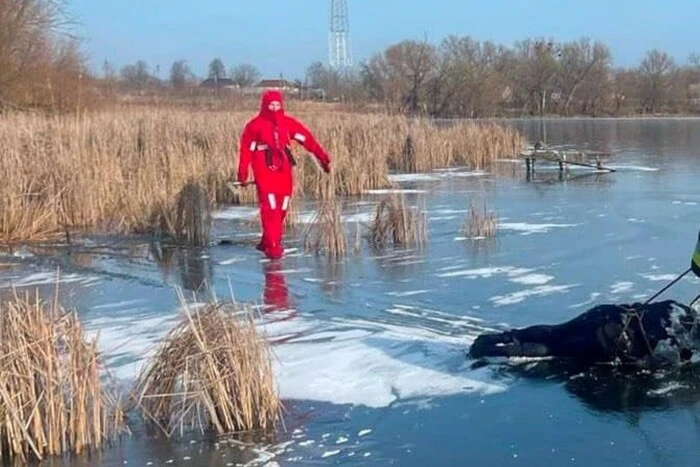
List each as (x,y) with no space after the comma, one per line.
(121,172)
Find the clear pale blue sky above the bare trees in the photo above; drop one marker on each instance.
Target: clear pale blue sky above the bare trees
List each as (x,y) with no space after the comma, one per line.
(285,36)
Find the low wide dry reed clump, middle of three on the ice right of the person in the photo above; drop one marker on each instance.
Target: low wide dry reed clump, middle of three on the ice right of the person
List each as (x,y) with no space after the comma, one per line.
(397,224)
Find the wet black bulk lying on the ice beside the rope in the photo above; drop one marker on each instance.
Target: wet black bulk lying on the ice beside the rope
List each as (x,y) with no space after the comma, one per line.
(661,332)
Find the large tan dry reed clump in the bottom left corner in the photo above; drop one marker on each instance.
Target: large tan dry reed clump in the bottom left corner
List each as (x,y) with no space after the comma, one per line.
(52,400)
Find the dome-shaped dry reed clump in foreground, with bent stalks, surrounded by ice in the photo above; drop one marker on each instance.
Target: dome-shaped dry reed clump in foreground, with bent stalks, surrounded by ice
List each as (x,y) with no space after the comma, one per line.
(212,372)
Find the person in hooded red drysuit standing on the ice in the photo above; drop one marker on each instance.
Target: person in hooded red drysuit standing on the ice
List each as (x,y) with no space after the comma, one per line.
(265,145)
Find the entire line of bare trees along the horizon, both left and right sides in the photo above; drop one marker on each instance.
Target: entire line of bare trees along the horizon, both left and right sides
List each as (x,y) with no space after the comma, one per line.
(42,65)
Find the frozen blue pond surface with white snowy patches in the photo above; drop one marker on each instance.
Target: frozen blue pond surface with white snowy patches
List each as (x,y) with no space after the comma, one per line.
(370,352)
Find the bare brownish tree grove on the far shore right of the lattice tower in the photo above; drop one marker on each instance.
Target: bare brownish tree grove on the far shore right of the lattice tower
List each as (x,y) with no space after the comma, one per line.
(464,77)
